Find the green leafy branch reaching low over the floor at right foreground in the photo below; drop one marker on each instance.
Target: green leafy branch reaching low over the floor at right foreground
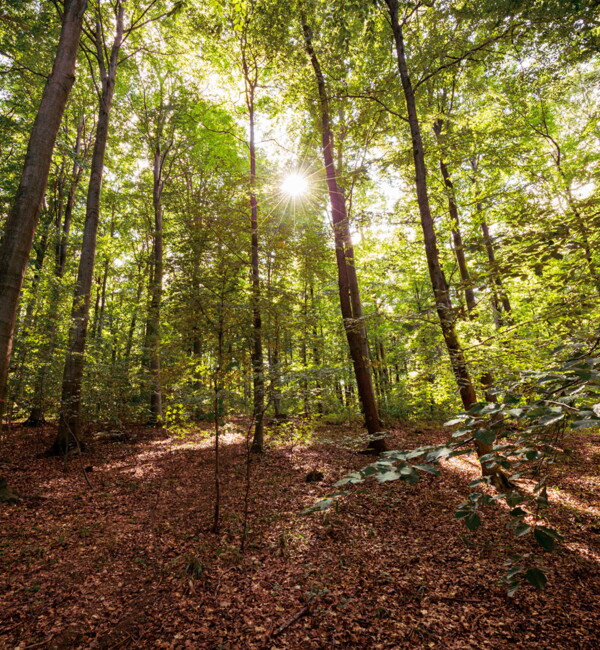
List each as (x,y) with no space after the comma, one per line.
(526,430)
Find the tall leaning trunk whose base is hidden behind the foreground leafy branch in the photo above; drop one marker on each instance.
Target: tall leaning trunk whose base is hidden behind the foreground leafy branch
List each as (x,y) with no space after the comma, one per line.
(436,274)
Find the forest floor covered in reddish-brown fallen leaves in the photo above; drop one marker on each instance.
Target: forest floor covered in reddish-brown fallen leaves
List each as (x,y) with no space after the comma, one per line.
(131,562)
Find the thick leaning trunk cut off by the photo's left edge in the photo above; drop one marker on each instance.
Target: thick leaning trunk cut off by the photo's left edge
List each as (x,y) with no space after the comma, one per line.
(22,220)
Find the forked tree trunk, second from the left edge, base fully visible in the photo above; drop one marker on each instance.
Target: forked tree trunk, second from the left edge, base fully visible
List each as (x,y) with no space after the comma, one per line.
(69,420)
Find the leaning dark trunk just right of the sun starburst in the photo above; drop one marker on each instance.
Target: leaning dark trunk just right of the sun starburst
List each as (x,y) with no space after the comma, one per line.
(350,302)
